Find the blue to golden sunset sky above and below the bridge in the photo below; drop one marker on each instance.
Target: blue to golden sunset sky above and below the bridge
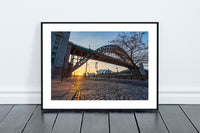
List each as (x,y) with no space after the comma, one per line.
(94,40)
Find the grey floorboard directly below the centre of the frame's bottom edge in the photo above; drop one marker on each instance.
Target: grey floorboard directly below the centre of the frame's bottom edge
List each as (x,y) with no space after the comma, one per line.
(95,122)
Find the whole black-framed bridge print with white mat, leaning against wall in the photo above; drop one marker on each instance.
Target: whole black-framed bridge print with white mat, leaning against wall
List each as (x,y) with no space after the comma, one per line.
(99,65)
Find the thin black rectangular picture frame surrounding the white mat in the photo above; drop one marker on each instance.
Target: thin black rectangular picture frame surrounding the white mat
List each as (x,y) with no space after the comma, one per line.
(64,109)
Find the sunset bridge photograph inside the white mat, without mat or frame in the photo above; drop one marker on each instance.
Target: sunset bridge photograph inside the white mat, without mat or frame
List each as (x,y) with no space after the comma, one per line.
(99,65)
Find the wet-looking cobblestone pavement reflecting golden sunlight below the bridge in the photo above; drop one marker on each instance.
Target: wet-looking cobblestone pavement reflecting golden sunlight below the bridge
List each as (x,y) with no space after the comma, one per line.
(78,88)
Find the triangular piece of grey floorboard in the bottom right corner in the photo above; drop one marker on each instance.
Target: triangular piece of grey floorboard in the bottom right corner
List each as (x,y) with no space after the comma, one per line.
(193,112)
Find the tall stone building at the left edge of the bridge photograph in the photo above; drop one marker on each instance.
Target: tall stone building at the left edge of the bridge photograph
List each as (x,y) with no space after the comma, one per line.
(59,53)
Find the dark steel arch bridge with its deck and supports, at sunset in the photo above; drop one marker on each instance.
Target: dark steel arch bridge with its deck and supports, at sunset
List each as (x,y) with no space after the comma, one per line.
(109,53)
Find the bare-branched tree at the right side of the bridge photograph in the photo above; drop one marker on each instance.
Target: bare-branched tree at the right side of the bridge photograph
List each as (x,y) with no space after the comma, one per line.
(133,48)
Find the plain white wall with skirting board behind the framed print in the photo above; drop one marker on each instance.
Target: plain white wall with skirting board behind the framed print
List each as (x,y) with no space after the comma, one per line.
(179,42)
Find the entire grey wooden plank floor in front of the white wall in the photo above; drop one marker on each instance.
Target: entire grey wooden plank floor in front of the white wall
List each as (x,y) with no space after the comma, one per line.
(169,118)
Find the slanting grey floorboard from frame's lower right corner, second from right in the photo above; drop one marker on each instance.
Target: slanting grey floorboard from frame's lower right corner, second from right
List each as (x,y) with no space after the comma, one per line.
(175,119)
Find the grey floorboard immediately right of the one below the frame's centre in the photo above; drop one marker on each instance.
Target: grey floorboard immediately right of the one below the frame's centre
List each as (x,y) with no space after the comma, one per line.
(122,122)
